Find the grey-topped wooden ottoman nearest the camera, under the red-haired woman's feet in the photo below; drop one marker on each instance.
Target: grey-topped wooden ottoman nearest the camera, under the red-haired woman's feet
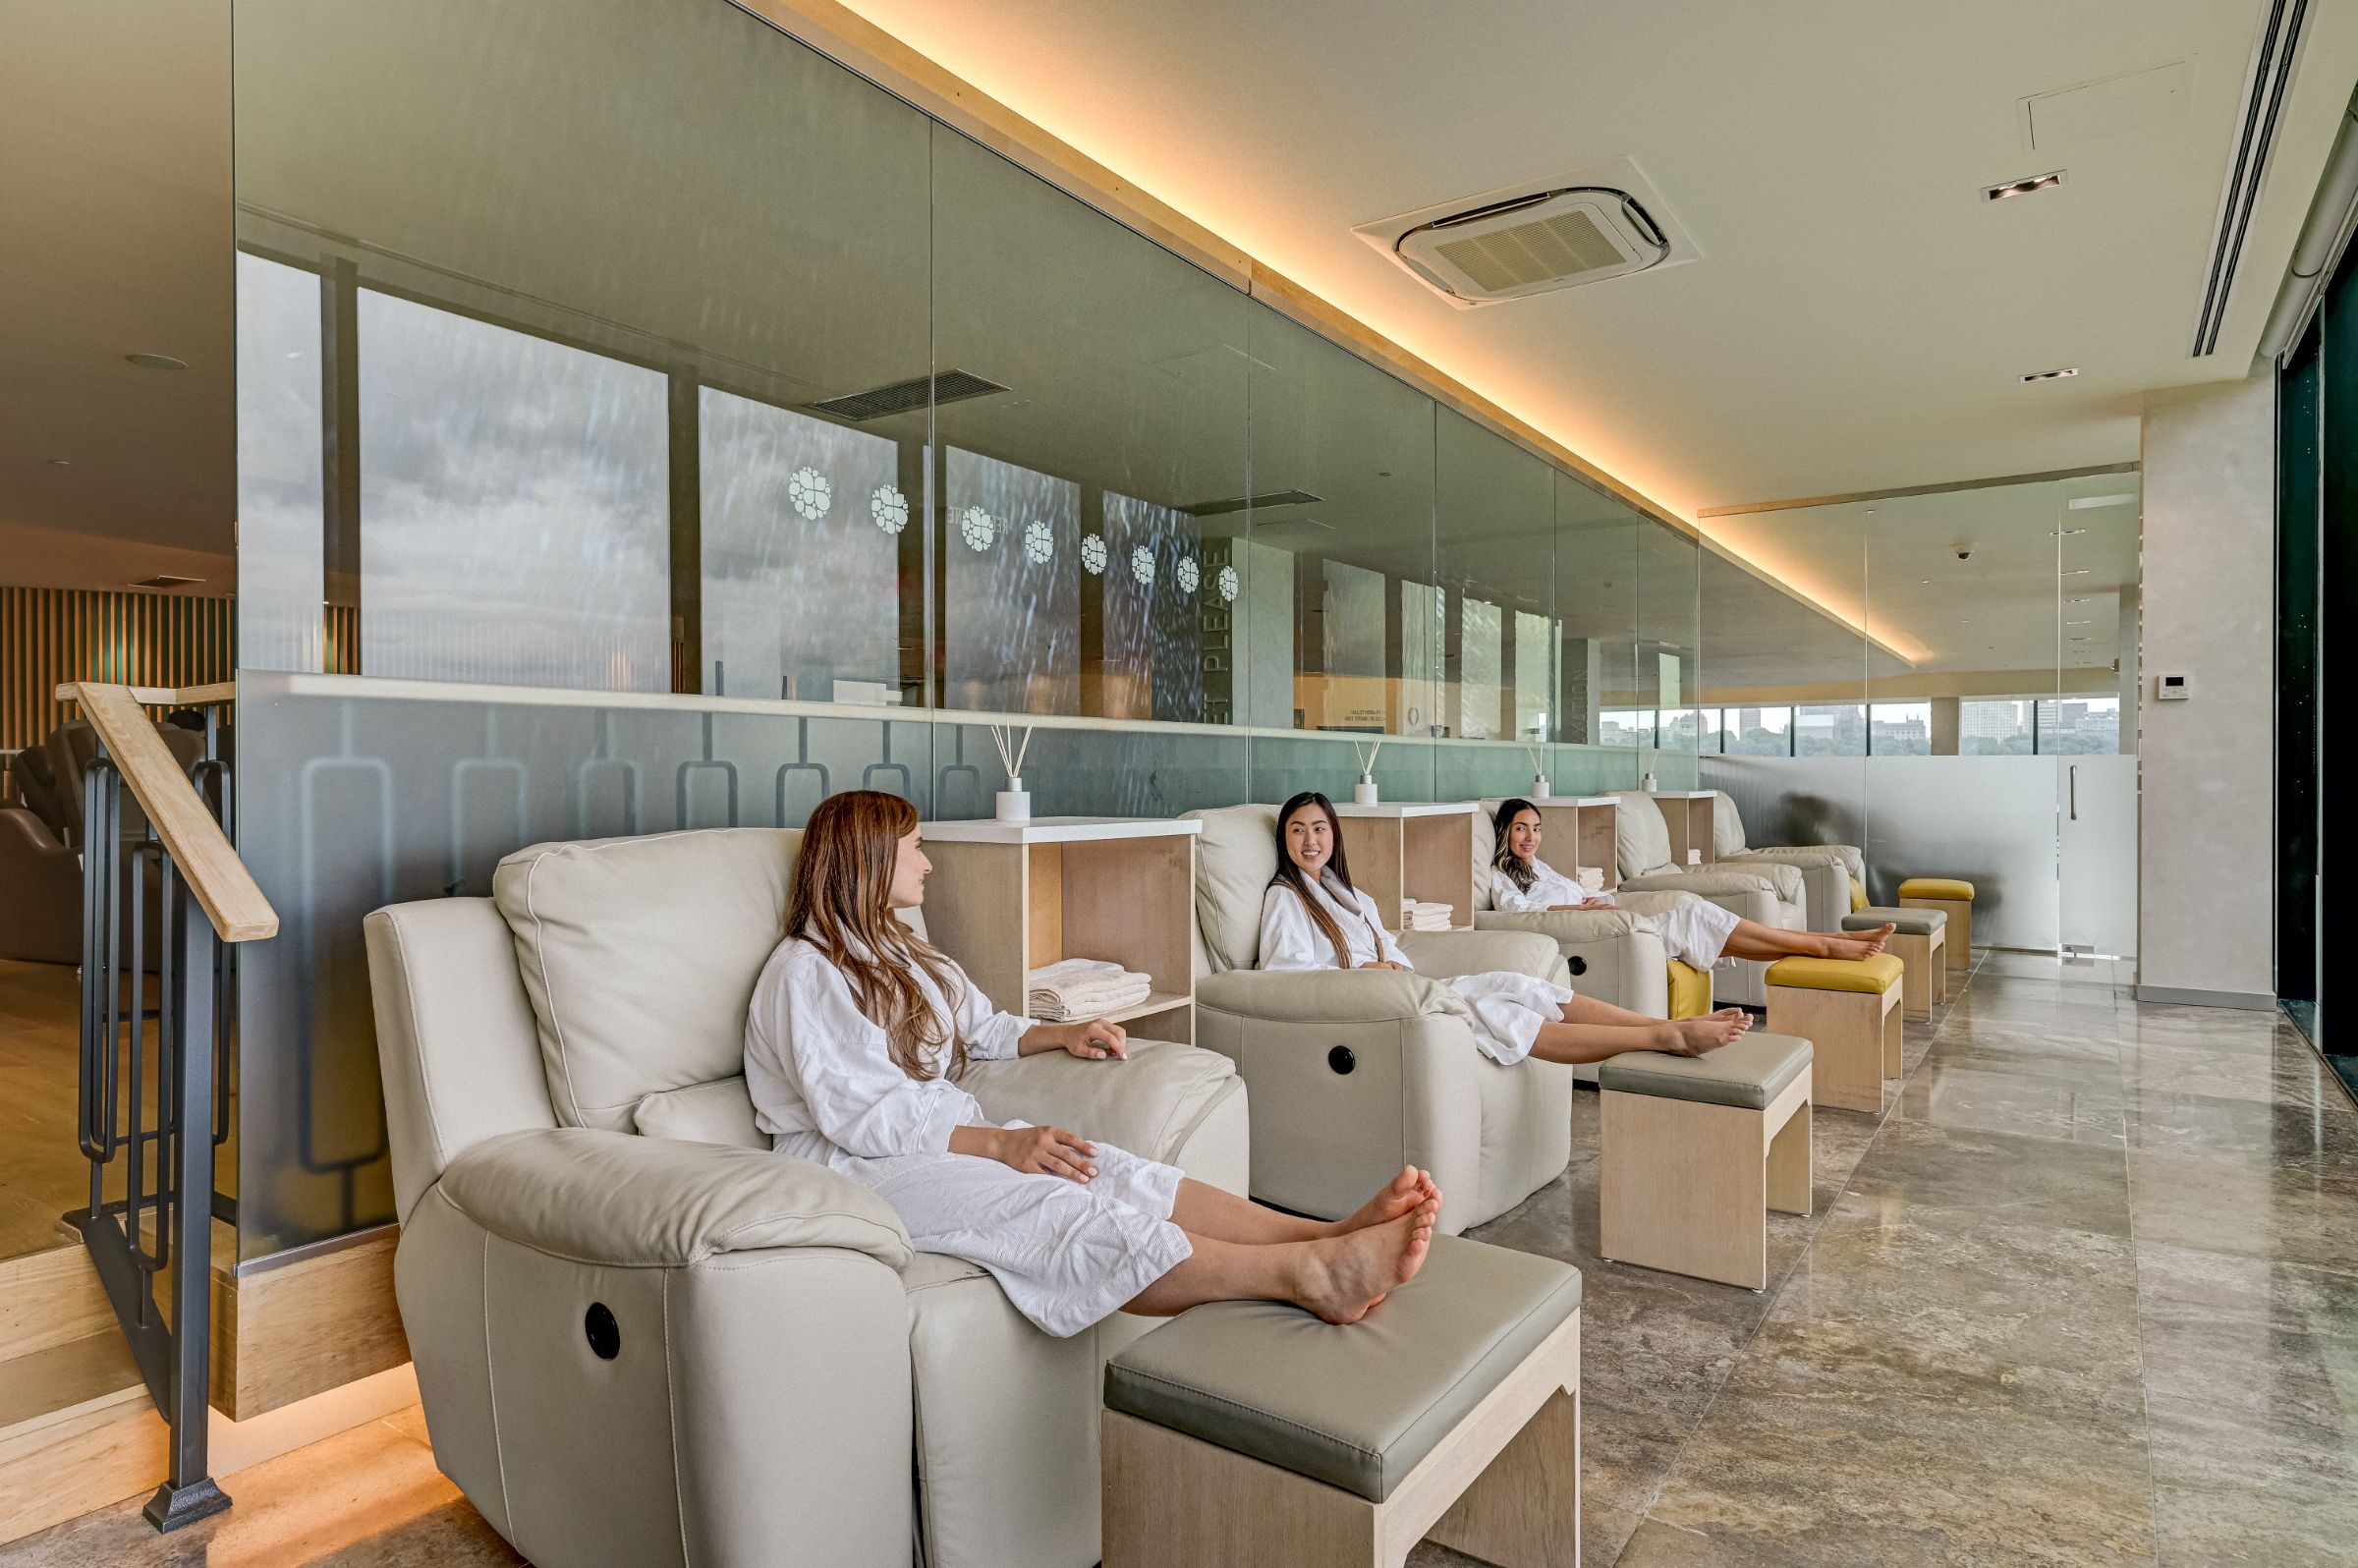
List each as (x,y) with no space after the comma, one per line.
(1253,1435)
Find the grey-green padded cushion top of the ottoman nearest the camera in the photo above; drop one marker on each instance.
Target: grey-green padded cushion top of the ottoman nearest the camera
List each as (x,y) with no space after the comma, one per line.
(1352,1406)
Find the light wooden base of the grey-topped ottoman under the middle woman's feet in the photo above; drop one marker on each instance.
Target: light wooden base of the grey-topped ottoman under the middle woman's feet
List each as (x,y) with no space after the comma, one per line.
(1687,1187)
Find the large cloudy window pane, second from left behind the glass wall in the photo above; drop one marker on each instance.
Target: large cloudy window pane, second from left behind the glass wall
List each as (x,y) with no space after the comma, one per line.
(515,513)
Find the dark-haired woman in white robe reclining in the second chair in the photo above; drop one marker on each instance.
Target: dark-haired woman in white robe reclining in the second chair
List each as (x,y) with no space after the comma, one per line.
(1312,918)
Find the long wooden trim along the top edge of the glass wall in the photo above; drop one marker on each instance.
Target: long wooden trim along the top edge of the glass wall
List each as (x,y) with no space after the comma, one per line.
(869,51)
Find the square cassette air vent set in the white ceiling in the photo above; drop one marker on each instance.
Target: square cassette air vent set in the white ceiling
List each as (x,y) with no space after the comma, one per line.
(1605,223)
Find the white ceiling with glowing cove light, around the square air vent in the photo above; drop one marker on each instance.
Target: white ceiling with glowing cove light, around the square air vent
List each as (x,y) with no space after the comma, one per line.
(1859,317)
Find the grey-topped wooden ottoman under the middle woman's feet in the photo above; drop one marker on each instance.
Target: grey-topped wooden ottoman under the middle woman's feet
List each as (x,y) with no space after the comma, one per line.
(1697,1152)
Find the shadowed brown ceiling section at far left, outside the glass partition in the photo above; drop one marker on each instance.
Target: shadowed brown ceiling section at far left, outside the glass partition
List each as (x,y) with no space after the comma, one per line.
(114,239)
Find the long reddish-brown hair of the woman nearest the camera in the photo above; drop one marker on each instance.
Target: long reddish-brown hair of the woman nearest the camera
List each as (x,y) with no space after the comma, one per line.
(843,907)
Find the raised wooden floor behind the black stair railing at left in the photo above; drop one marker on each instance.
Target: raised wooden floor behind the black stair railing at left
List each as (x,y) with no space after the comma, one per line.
(44,1173)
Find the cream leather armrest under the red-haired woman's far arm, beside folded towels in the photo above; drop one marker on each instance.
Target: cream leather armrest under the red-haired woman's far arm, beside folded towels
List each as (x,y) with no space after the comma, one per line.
(1147,1105)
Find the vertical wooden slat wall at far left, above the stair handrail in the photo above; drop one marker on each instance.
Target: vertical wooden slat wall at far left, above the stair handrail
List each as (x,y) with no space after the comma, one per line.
(53,635)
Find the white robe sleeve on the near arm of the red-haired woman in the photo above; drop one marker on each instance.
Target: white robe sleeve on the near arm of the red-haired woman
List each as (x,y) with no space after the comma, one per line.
(857,1095)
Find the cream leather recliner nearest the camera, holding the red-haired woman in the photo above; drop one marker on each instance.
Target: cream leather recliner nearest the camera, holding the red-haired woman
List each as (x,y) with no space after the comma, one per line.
(640,1336)
